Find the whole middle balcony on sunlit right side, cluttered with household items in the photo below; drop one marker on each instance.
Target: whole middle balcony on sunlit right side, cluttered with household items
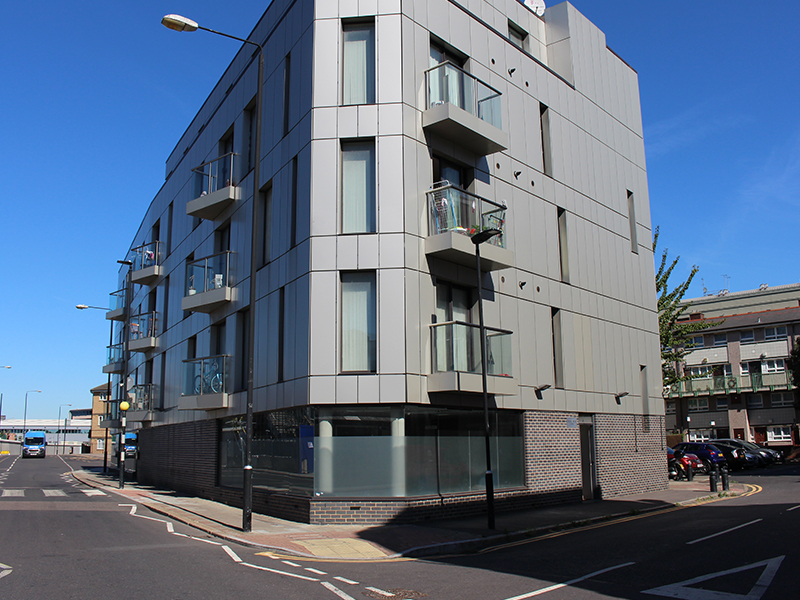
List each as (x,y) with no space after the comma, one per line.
(454,216)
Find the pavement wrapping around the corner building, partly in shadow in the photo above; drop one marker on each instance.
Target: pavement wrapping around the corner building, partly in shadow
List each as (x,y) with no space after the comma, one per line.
(385,542)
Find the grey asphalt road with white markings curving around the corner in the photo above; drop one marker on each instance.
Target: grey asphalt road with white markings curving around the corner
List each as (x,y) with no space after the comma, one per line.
(62,542)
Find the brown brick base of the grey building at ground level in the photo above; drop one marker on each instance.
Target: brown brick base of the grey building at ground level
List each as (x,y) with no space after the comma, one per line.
(630,457)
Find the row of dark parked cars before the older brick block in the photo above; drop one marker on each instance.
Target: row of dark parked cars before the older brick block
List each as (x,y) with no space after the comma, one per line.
(731,454)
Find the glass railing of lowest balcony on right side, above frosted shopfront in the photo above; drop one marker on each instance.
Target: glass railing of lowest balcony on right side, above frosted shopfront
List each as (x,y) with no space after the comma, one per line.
(457,347)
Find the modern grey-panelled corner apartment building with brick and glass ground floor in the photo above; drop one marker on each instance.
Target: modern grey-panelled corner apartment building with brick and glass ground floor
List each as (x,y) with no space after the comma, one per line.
(394,130)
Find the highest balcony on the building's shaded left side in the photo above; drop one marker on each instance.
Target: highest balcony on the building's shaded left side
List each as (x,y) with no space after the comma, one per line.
(215,188)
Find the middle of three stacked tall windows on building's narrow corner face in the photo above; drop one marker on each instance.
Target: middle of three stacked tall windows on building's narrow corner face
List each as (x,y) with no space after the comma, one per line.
(358,187)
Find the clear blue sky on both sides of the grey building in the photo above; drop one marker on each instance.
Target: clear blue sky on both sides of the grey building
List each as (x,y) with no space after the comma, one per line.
(96,94)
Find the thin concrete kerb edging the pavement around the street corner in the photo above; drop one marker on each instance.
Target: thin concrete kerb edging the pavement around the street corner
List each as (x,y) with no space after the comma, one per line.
(436,549)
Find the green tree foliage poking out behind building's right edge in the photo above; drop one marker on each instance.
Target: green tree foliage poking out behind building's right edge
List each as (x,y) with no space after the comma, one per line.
(676,337)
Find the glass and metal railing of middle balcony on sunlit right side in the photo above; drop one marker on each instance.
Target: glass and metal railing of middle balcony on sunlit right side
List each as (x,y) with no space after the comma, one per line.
(452,209)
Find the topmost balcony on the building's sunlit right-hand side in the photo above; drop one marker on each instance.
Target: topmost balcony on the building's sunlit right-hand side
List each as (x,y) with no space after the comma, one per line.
(462,108)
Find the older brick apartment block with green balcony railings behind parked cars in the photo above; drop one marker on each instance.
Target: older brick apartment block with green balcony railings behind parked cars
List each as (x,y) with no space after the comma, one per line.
(741,387)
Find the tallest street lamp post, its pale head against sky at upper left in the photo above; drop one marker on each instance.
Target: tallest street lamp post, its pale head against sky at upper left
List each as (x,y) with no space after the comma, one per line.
(179,23)
